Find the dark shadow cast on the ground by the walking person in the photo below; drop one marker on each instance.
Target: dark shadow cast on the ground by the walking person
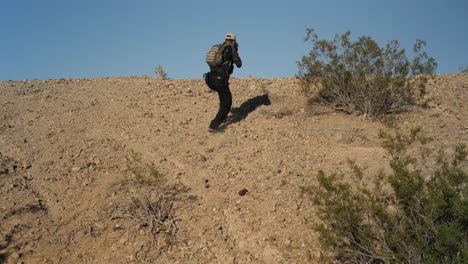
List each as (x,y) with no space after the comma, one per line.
(247,107)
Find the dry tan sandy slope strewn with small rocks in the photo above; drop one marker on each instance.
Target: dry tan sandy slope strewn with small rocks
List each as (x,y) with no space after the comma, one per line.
(65,150)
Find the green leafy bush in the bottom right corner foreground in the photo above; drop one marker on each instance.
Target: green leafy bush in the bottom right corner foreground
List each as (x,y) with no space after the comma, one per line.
(407,216)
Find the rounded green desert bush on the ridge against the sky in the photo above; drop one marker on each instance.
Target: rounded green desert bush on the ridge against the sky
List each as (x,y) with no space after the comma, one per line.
(361,77)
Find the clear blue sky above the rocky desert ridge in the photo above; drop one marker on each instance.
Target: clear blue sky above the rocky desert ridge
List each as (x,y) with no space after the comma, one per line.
(48,39)
